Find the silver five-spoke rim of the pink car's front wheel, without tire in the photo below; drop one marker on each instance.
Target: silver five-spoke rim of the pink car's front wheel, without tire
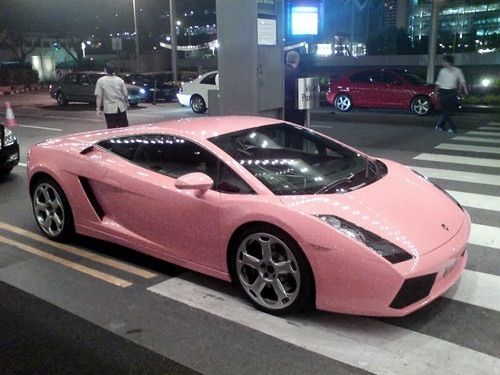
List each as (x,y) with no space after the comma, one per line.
(268,271)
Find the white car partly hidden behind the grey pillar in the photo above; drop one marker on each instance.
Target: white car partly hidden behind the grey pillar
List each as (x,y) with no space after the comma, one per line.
(195,93)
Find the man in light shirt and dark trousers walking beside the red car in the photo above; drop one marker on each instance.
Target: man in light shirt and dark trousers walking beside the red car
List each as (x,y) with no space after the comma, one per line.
(449,82)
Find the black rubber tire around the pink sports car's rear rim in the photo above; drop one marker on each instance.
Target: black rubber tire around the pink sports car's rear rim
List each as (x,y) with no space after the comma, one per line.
(68,227)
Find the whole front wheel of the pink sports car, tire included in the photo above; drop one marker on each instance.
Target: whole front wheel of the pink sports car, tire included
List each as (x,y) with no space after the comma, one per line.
(272,271)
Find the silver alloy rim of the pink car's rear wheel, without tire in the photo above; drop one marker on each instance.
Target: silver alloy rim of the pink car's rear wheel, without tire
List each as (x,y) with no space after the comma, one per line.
(49,209)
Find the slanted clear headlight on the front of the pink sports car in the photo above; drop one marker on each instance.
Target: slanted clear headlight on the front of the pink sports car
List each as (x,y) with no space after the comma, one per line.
(386,249)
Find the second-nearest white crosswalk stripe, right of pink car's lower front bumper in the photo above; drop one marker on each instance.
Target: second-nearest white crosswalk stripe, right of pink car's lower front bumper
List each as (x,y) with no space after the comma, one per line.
(477,288)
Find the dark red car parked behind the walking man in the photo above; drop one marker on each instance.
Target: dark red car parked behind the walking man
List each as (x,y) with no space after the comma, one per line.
(382,88)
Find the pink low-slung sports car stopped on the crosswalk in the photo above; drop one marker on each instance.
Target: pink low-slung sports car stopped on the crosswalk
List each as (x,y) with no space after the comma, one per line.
(293,217)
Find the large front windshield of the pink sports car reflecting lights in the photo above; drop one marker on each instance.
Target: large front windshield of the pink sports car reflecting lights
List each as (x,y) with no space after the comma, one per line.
(292,160)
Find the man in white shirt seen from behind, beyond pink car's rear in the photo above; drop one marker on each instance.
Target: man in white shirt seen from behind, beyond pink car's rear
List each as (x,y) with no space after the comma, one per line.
(112,98)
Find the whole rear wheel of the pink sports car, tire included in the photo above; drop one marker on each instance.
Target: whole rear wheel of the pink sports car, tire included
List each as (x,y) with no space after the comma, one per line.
(51,209)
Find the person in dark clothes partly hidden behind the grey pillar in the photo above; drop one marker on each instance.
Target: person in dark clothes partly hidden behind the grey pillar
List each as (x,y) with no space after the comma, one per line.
(292,74)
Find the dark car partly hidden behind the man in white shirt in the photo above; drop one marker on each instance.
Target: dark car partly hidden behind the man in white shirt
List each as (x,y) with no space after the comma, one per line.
(80,87)
